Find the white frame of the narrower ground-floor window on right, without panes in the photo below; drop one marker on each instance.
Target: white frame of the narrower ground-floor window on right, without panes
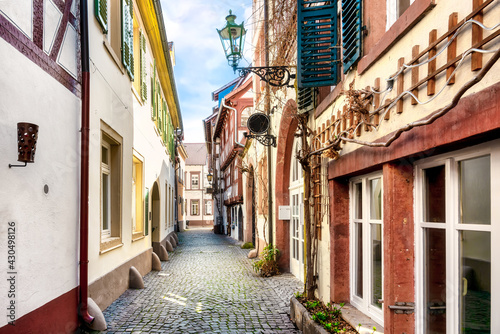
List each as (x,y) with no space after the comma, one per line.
(364,304)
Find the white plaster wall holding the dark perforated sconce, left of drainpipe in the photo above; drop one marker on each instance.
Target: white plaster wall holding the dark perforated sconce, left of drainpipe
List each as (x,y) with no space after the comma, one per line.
(47,225)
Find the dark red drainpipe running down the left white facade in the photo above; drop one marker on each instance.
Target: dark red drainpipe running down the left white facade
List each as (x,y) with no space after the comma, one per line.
(84,177)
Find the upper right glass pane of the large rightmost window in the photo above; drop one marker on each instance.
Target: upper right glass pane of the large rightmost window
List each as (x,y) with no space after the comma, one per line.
(475,191)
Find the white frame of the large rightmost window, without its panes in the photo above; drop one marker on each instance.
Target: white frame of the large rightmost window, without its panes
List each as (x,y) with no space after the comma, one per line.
(453,229)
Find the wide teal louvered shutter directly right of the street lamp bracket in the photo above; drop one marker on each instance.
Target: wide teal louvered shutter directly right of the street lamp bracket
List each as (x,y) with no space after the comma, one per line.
(318,53)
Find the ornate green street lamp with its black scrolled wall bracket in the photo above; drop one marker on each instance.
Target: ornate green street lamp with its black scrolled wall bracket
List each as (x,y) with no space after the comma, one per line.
(232,37)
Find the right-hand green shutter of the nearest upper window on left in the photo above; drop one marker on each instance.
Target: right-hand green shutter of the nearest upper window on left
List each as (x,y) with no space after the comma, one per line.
(128,37)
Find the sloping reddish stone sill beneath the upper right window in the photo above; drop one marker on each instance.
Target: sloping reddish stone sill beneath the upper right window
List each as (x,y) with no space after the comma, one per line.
(411,17)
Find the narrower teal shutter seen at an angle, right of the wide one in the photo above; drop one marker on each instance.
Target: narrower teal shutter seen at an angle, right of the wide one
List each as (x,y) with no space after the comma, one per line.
(351,32)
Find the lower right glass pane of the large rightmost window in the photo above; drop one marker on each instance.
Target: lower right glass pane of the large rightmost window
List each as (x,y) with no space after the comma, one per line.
(475,273)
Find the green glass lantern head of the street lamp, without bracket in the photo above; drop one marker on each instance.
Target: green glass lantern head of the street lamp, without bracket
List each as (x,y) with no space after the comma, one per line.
(232,37)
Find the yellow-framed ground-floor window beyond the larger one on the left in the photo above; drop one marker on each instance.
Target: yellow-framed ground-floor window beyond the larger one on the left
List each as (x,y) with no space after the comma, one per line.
(137,198)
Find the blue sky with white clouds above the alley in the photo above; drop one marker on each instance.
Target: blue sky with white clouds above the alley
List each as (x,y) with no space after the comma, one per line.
(200,64)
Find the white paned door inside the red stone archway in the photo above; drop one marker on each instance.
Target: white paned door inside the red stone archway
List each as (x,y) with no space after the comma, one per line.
(297,217)
